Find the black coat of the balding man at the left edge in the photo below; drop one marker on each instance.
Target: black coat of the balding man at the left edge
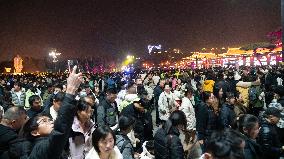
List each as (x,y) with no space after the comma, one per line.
(7,135)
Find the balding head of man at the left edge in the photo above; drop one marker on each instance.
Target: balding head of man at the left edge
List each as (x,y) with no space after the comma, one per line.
(15,117)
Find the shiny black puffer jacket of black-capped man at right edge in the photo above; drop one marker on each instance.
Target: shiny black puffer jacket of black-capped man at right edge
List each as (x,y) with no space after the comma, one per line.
(269,141)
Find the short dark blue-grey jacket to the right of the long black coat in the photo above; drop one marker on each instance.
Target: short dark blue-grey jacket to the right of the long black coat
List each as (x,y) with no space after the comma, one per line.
(227,116)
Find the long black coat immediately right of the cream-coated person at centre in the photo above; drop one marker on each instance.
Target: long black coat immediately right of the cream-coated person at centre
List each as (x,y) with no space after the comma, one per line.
(206,121)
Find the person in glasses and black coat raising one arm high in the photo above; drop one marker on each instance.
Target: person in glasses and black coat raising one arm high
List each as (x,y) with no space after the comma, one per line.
(49,138)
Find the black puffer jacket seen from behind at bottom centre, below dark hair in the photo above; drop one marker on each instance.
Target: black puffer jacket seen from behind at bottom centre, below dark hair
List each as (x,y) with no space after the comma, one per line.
(174,147)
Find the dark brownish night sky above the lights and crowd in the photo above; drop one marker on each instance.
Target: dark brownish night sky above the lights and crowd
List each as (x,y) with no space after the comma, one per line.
(79,28)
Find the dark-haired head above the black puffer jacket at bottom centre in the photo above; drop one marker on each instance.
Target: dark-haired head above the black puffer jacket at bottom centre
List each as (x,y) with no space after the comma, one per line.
(178,119)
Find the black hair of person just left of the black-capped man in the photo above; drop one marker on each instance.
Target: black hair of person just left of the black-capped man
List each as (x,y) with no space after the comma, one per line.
(247,121)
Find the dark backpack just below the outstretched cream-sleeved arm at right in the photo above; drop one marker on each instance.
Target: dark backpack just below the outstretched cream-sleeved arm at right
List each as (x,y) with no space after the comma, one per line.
(254,93)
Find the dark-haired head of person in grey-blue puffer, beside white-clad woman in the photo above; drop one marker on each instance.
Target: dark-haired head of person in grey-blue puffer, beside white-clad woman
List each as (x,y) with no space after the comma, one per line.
(126,123)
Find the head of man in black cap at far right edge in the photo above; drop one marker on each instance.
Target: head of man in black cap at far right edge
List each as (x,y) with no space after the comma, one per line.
(272,115)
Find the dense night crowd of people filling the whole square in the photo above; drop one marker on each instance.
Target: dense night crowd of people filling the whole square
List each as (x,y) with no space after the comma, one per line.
(214,113)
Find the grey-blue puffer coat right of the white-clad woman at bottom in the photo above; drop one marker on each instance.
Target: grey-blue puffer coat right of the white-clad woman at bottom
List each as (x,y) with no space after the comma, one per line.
(123,142)
